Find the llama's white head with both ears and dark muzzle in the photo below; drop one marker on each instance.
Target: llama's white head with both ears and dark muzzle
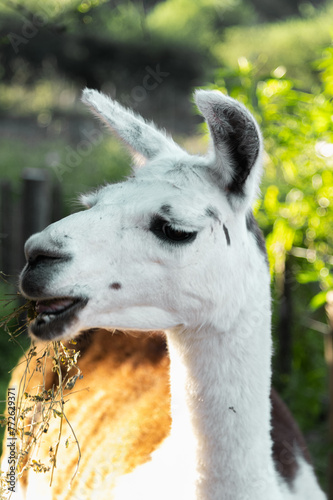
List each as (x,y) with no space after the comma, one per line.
(169,246)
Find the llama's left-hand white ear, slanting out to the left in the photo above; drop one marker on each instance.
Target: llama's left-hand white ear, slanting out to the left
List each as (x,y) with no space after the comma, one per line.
(143,140)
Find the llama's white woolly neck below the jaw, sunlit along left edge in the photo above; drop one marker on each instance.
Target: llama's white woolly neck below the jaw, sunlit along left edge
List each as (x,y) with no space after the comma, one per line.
(220,385)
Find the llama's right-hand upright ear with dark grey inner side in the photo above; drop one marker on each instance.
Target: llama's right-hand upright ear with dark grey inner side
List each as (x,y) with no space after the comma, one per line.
(236,138)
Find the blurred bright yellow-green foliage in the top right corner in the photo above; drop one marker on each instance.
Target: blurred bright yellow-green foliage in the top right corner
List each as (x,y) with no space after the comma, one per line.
(293,44)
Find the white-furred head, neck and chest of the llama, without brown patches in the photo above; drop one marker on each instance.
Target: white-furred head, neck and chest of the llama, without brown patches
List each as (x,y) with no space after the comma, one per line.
(176,248)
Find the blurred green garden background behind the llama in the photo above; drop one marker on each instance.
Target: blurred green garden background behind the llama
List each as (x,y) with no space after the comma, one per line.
(276,56)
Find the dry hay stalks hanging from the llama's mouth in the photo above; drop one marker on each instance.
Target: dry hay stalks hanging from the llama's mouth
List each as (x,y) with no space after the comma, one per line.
(23,428)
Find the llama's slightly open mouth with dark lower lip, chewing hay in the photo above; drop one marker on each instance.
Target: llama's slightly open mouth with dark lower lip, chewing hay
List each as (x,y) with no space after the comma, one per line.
(54,316)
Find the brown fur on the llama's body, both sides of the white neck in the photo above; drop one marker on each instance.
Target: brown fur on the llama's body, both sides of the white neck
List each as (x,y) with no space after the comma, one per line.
(120,412)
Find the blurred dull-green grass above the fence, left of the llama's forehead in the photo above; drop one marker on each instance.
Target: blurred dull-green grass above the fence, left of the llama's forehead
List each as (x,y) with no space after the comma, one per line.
(75,172)
